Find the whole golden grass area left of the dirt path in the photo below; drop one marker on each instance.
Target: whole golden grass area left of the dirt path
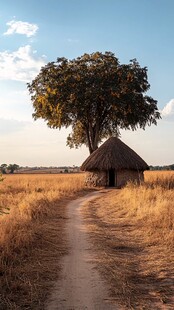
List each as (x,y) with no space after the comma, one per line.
(32,237)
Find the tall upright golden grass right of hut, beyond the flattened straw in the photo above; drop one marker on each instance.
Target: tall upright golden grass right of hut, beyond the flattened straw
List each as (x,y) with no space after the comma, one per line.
(152,204)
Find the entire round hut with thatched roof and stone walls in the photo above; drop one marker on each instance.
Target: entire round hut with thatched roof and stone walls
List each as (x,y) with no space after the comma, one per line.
(113,164)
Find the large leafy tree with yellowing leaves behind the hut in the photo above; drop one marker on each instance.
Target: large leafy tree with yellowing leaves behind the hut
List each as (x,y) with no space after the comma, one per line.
(94,94)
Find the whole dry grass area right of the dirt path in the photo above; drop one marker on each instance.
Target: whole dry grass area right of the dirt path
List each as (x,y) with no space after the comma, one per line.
(133,234)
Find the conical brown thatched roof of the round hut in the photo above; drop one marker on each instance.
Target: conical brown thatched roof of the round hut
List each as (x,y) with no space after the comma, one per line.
(114,154)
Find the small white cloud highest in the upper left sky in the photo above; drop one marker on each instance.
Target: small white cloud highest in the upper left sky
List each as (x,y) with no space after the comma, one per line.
(20,27)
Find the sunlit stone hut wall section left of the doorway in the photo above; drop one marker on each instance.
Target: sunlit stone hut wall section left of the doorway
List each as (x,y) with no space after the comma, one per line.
(98,178)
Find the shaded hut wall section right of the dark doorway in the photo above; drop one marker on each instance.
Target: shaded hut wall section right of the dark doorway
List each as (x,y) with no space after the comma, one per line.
(123,176)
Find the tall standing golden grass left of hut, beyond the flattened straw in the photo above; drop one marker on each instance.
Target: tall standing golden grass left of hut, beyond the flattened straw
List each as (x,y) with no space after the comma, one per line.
(28,197)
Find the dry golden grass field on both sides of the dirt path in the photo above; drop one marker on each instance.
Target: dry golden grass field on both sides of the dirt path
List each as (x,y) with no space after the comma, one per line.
(132,230)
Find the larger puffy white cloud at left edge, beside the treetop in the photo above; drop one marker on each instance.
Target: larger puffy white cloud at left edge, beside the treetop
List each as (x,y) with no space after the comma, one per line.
(21,65)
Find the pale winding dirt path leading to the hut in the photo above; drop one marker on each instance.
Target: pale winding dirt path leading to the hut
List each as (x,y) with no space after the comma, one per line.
(81,286)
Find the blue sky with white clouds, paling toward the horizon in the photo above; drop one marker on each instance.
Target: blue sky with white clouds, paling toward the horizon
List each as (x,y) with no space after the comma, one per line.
(33,33)
